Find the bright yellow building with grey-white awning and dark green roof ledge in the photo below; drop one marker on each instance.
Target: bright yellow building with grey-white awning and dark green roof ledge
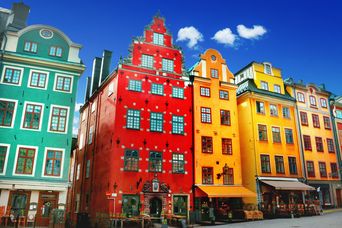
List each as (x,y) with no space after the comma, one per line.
(270,150)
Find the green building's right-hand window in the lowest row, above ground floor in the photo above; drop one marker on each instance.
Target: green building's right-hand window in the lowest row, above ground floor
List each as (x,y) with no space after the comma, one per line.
(53,163)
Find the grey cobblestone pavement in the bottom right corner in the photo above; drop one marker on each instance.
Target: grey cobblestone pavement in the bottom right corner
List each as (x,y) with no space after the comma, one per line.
(330,220)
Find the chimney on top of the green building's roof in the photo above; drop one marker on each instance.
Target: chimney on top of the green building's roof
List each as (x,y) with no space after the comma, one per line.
(21,12)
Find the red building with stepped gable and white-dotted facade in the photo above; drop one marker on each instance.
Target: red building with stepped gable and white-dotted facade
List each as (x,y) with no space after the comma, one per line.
(135,137)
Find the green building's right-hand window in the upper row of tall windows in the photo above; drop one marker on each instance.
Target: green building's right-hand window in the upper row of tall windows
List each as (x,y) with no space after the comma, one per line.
(59,117)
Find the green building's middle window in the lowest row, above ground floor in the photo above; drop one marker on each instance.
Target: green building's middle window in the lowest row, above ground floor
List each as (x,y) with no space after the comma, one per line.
(25,160)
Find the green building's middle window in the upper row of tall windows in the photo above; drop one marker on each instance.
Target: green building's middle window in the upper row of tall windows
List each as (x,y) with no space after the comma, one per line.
(32,116)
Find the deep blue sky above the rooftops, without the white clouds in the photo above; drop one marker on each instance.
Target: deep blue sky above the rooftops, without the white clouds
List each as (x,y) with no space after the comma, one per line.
(303,38)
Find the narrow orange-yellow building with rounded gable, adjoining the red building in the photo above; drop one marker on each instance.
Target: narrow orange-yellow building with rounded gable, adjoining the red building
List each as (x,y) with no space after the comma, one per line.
(217,161)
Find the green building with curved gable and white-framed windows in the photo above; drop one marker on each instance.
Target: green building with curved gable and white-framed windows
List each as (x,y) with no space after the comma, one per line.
(39,72)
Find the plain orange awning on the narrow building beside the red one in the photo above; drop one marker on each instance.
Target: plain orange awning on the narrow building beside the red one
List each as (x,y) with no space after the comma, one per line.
(227,191)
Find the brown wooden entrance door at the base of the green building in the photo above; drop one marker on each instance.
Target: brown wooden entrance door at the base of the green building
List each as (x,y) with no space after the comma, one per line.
(47,202)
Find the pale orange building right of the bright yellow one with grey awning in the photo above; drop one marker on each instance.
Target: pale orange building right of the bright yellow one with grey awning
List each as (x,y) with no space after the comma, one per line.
(318,143)
